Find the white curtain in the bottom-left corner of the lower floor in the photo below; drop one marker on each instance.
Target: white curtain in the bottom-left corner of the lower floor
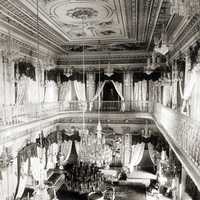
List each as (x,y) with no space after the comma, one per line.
(9,181)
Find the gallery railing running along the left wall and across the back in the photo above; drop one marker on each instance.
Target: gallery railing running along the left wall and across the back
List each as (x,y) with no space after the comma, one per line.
(19,114)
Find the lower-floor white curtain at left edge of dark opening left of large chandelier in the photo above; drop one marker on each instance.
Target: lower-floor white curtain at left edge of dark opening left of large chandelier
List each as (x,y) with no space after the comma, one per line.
(66,147)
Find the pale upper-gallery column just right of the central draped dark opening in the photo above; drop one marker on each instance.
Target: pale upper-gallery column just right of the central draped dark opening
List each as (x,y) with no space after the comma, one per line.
(128,88)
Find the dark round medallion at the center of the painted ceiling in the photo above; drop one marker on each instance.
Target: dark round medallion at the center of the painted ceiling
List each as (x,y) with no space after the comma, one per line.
(82,13)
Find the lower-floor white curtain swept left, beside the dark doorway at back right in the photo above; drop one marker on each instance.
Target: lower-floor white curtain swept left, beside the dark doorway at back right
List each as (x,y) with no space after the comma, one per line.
(137,152)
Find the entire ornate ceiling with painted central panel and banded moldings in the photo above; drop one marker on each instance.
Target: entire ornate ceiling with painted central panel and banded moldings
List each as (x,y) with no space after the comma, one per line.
(106,27)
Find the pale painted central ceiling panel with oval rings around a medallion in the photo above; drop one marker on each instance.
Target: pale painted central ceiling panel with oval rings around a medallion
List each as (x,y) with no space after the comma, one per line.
(89,19)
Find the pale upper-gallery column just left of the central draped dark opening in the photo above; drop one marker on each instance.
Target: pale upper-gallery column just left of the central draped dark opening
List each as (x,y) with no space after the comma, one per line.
(90,83)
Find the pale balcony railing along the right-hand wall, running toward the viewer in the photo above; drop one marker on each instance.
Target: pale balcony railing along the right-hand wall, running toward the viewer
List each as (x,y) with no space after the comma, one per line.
(183,135)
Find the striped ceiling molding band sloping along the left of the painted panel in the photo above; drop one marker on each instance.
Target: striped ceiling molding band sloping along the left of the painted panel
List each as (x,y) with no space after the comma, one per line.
(22,19)
